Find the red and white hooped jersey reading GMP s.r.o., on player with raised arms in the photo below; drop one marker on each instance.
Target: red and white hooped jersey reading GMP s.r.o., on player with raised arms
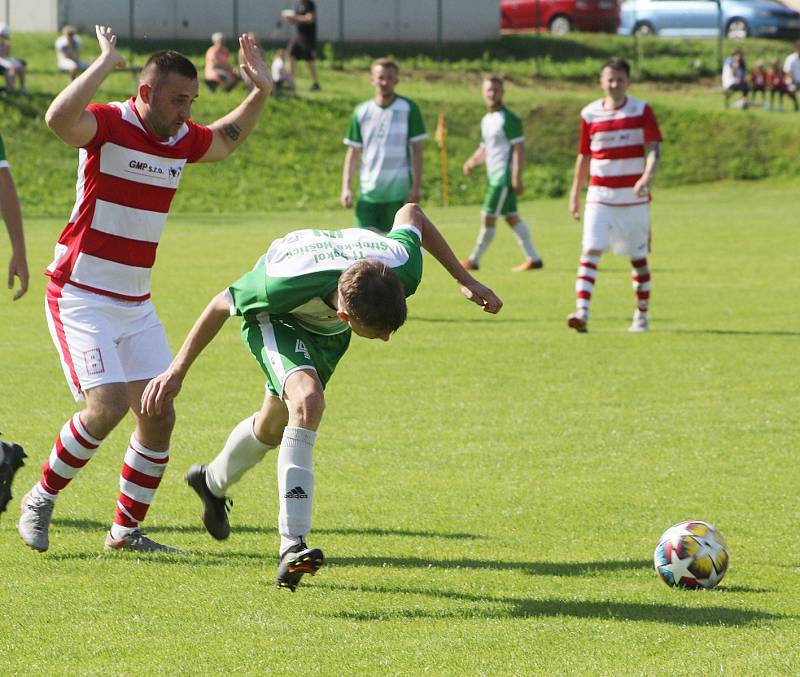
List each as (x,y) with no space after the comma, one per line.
(127,177)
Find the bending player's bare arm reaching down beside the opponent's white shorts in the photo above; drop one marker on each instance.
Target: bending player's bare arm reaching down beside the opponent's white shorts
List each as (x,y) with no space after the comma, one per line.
(165,387)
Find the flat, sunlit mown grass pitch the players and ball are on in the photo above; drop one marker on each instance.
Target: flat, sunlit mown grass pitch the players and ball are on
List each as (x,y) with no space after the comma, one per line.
(489,489)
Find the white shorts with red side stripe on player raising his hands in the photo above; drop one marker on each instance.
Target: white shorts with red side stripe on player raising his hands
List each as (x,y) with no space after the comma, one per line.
(104,340)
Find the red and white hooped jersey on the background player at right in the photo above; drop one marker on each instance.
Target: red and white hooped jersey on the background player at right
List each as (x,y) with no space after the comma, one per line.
(615,138)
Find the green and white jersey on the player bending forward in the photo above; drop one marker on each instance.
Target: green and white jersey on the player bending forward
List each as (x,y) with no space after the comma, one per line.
(300,270)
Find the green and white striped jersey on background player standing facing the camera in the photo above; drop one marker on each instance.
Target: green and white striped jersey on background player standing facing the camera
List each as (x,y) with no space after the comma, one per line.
(384,135)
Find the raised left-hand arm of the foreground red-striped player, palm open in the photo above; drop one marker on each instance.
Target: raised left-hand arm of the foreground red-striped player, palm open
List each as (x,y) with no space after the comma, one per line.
(67,116)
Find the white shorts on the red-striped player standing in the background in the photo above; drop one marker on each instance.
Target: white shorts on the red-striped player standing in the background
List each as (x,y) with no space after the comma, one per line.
(626,228)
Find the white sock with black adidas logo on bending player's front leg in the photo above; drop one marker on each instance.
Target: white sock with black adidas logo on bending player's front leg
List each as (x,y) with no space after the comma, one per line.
(295,485)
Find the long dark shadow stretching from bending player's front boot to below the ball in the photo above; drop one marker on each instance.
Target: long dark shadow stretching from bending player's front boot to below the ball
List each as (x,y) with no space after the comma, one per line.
(479,606)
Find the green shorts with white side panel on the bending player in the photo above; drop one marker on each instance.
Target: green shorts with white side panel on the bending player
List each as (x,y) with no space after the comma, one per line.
(281,346)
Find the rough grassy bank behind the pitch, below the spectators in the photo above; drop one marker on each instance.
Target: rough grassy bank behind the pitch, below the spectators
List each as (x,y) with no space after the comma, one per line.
(278,169)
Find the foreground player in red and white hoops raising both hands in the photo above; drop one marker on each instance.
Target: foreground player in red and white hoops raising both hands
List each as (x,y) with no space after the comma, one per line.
(98,307)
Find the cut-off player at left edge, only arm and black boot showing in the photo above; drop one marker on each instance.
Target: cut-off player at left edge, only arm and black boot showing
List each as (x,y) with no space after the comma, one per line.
(11,455)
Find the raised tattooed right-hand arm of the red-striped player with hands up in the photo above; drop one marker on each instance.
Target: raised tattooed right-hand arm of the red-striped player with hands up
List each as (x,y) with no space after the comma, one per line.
(231,131)
